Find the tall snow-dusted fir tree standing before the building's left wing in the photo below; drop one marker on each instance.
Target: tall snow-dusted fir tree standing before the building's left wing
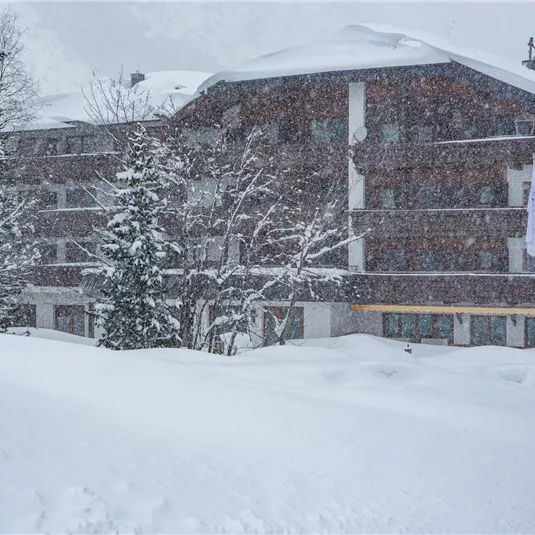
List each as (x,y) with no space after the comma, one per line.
(132,308)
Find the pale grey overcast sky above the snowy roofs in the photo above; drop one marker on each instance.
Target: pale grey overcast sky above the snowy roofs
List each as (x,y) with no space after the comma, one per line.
(67,40)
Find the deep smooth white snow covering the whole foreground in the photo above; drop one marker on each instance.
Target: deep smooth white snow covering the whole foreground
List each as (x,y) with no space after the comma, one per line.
(344,435)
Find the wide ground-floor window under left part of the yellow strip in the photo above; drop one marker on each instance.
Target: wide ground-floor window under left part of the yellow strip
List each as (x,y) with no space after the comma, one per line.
(417,326)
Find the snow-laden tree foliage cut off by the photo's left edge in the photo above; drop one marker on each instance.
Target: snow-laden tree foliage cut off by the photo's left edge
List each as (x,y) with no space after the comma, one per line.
(18,253)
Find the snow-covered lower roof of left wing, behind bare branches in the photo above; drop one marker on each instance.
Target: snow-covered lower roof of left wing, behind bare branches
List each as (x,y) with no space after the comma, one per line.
(63,108)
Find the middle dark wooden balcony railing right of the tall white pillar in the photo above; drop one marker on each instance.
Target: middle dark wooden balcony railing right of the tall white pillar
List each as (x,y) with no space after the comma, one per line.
(508,222)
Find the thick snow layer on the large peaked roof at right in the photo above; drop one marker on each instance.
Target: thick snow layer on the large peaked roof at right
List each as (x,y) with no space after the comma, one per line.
(369,46)
